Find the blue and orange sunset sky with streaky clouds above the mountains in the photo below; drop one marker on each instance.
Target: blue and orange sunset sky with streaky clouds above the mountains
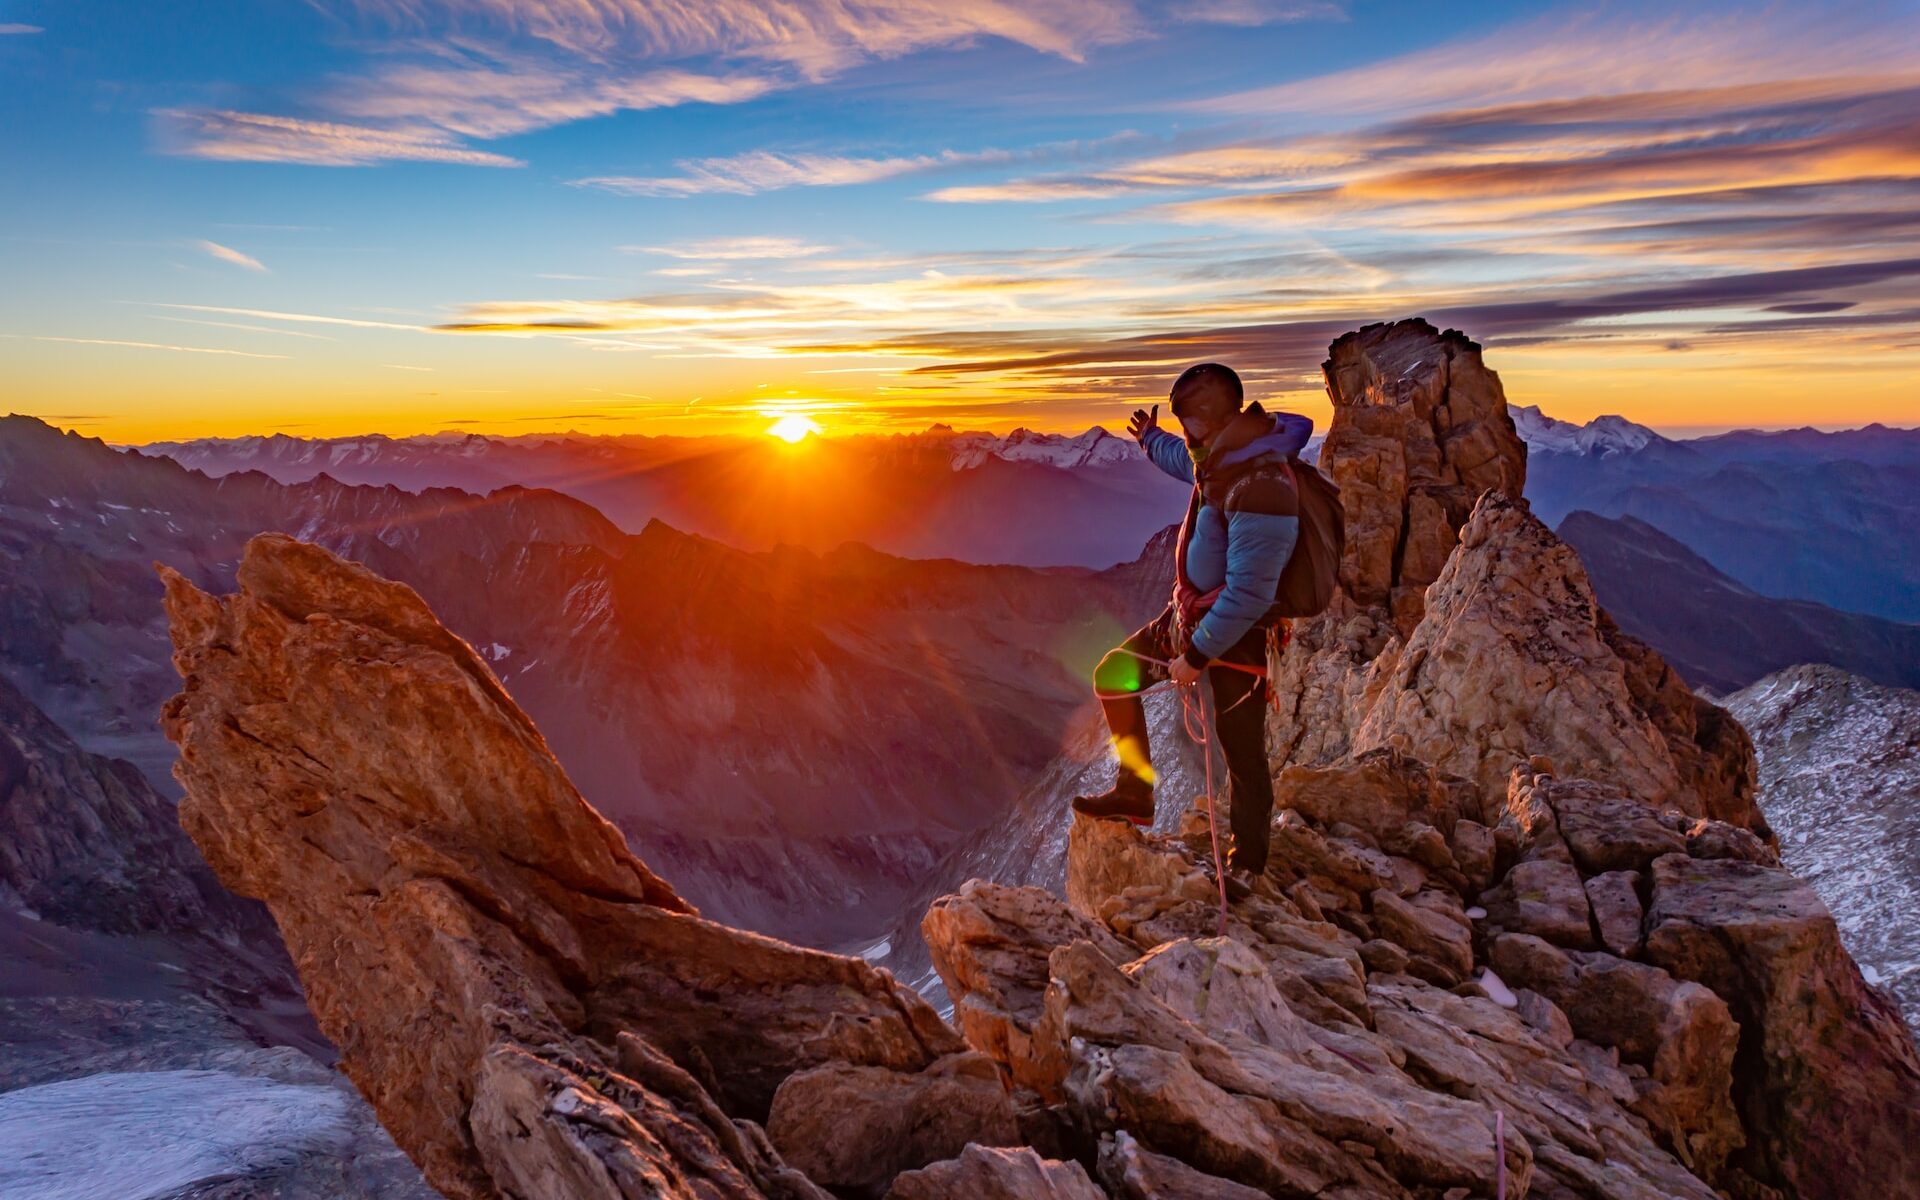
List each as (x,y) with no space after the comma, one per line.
(700,216)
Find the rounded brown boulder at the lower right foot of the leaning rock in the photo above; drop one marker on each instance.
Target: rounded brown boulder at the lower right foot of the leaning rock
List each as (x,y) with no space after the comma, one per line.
(853,1128)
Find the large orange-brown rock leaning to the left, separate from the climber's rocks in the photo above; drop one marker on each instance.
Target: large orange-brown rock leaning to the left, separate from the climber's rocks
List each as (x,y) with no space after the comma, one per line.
(529,1009)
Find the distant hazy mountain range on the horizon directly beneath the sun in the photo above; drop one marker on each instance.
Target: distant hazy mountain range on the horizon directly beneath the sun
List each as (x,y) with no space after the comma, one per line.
(1090,500)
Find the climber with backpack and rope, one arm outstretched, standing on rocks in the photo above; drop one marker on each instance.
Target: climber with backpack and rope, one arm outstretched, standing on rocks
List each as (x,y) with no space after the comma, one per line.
(1239,535)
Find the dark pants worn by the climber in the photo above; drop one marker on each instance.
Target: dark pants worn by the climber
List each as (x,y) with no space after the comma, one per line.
(1239,723)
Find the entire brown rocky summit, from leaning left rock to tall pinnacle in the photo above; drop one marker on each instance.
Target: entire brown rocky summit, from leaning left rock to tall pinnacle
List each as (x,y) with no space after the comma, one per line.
(1524,930)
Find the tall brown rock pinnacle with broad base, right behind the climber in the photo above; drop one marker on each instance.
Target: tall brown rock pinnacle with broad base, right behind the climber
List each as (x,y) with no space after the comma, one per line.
(1466,633)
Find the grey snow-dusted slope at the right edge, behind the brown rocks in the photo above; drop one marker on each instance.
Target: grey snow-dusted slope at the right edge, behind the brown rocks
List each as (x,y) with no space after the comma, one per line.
(1840,782)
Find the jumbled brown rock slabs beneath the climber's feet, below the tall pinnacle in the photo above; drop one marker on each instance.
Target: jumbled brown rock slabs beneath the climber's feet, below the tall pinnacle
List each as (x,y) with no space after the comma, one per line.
(1333,1045)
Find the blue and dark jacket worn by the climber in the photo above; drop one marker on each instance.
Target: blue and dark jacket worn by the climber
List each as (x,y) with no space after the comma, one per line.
(1241,537)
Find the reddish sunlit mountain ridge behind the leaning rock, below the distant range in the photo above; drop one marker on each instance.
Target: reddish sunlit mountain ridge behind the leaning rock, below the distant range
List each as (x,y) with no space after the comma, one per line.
(777,757)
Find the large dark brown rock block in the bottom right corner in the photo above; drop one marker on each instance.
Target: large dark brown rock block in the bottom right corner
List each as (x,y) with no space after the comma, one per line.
(1829,1080)
